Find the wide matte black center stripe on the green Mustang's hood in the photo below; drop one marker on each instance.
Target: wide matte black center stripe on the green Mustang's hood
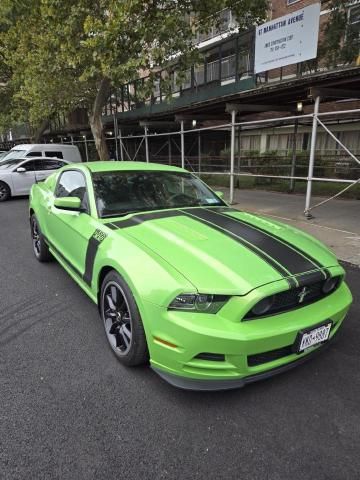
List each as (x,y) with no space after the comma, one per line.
(290,259)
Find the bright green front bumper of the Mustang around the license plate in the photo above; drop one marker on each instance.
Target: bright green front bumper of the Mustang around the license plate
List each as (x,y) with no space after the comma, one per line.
(176,339)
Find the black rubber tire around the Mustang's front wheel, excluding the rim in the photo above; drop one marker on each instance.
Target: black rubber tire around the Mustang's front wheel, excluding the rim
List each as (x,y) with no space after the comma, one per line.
(138,353)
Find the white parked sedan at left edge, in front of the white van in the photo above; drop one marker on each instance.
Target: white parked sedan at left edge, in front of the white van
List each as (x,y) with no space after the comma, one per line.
(18,175)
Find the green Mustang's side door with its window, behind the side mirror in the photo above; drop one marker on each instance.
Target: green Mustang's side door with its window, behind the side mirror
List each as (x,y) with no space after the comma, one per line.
(69,232)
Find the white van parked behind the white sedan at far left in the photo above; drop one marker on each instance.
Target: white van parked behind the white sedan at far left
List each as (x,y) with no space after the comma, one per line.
(69,153)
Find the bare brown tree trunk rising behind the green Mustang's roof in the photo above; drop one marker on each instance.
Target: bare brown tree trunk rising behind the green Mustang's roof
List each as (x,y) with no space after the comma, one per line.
(95,119)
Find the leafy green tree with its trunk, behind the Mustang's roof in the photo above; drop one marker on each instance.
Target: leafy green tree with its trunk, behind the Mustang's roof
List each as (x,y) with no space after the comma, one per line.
(68,53)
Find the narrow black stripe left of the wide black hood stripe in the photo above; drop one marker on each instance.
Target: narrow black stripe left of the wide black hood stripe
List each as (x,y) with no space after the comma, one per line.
(191,213)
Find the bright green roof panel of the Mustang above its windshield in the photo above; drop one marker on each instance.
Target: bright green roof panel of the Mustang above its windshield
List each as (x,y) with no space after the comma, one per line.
(111,166)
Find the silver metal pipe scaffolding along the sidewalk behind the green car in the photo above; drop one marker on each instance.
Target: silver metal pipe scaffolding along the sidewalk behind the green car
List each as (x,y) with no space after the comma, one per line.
(316,119)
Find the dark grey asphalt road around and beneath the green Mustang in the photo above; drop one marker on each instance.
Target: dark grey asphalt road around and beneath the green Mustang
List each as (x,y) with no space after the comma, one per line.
(69,410)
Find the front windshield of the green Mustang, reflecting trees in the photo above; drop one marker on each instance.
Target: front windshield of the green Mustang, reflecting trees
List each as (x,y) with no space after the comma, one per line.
(119,193)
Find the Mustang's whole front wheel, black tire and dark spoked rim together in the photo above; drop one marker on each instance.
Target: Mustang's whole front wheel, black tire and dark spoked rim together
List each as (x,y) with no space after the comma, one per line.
(122,322)
